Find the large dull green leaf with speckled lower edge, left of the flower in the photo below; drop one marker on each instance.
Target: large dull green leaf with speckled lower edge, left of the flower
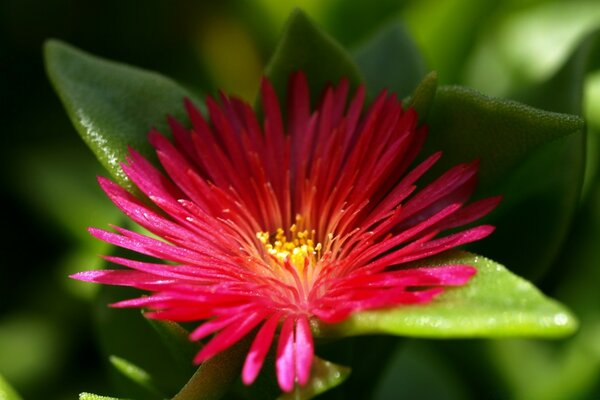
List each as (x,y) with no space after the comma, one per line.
(112,105)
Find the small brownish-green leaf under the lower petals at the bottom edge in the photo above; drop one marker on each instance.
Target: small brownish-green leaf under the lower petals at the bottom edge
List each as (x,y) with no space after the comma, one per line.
(215,377)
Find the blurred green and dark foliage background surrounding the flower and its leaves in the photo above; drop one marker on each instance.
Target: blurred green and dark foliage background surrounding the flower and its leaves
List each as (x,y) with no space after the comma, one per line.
(48,344)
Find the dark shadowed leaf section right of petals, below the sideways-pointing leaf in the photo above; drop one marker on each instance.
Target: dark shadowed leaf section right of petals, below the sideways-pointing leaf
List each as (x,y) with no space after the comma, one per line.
(540,198)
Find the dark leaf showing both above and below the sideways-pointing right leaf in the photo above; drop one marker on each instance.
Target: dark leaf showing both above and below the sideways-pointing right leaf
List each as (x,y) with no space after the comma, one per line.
(542,195)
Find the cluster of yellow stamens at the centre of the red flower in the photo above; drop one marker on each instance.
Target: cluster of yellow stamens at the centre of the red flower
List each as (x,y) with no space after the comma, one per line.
(296,246)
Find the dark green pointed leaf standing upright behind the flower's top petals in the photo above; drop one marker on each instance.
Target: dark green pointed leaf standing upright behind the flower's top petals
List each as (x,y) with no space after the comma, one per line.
(305,47)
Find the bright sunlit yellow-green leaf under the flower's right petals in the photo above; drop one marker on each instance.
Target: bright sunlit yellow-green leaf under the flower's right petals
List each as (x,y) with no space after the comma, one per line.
(495,303)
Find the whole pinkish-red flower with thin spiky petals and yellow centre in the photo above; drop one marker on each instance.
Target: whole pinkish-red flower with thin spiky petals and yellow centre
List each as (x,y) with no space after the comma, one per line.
(266,228)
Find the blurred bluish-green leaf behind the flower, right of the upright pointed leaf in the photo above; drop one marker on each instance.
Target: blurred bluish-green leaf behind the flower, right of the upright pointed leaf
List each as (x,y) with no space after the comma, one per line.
(391,61)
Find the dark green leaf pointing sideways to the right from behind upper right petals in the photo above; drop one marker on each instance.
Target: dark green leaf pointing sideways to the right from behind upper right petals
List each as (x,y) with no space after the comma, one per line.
(467,125)
